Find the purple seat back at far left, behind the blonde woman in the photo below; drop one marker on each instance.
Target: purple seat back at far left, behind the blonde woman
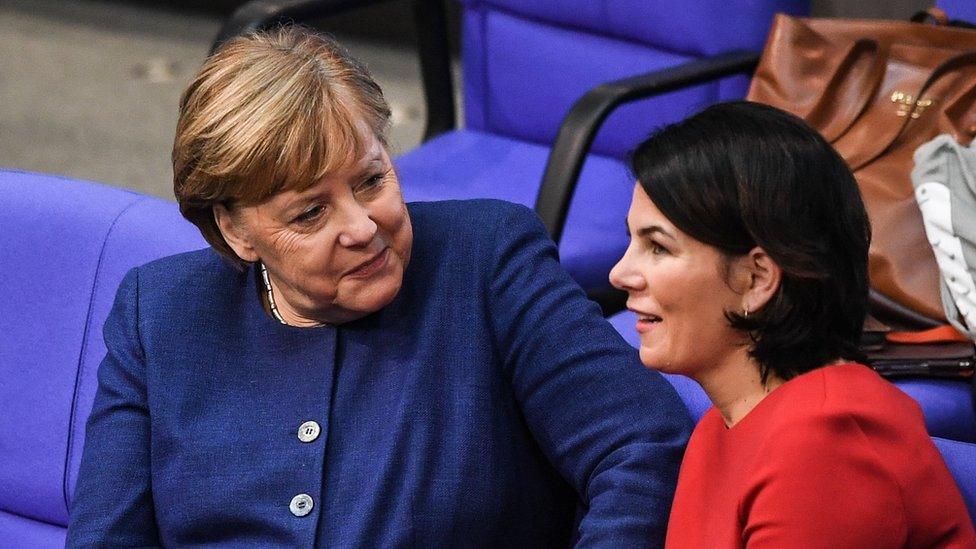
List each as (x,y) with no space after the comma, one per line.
(66,245)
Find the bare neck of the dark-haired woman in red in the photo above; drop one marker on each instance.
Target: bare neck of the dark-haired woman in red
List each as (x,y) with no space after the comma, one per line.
(736,387)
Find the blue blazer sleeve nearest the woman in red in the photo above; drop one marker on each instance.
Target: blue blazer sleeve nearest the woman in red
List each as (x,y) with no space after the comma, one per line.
(613,429)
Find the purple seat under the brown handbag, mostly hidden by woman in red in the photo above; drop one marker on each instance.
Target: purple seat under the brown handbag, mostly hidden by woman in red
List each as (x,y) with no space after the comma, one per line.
(947,404)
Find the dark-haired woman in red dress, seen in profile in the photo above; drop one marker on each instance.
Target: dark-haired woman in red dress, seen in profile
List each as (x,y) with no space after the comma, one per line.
(747,268)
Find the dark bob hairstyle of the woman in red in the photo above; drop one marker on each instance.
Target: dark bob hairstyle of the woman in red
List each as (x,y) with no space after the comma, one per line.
(740,175)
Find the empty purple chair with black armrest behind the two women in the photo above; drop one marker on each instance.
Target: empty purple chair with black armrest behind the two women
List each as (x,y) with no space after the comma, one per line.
(525,63)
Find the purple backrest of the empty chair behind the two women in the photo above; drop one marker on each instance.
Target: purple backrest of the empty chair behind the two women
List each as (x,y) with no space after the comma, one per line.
(527,61)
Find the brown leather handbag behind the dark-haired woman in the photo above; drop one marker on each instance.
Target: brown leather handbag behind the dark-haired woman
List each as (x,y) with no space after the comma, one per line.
(877,90)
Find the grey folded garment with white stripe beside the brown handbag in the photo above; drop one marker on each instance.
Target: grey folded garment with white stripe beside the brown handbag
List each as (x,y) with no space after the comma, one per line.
(945,188)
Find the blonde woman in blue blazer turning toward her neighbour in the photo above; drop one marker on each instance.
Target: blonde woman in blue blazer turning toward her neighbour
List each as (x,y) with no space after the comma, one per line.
(343,369)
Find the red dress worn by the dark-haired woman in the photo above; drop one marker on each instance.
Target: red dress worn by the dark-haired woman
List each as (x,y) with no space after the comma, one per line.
(834,458)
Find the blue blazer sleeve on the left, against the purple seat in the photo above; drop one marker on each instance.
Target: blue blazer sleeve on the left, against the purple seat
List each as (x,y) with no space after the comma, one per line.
(113,504)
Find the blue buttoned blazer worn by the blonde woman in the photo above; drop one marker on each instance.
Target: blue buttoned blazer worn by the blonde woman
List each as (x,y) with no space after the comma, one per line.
(488,405)
